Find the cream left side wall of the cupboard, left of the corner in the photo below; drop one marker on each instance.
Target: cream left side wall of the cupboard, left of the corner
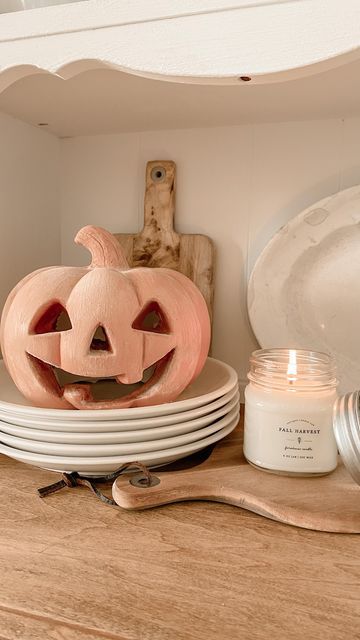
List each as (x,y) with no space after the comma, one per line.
(29,201)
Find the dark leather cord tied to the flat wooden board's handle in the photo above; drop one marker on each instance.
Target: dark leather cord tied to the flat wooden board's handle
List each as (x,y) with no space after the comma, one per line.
(73,479)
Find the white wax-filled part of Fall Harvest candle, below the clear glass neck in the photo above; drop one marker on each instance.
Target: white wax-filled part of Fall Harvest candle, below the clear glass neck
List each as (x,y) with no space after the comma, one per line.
(288,431)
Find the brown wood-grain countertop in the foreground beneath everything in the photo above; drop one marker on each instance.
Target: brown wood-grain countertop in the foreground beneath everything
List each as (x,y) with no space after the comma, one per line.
(73,568)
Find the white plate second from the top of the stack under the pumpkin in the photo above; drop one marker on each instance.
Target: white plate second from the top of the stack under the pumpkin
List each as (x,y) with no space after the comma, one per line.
(117,426)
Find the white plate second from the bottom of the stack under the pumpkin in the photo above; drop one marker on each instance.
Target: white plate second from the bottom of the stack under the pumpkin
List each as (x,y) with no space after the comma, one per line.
(93,450)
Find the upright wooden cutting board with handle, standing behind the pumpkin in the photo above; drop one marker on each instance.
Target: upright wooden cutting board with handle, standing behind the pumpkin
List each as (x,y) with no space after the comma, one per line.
(159,245)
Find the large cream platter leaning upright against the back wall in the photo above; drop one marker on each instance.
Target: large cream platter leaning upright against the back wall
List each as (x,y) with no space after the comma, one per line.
(304,291)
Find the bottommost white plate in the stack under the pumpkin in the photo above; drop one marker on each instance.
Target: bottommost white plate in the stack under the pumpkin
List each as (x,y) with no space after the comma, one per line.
(103,465)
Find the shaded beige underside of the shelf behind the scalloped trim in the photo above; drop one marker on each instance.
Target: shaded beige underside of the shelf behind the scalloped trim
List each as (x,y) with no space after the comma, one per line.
(109,101)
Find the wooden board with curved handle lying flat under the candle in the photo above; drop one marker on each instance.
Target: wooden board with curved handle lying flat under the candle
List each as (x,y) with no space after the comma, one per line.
(329,503)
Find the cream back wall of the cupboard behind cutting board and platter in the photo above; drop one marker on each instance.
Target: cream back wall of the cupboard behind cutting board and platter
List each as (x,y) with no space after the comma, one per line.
(237,184)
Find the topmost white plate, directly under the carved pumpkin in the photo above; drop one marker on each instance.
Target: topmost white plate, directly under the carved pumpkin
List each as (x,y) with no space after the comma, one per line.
(215,380)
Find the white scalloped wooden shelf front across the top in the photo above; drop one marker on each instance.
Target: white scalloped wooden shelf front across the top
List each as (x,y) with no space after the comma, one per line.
(212,41)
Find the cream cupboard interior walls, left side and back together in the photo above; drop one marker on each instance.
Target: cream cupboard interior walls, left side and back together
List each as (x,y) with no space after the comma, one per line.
(237,184)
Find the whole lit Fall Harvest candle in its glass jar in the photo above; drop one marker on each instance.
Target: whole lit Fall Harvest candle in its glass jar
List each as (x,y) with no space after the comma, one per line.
(289,412)
